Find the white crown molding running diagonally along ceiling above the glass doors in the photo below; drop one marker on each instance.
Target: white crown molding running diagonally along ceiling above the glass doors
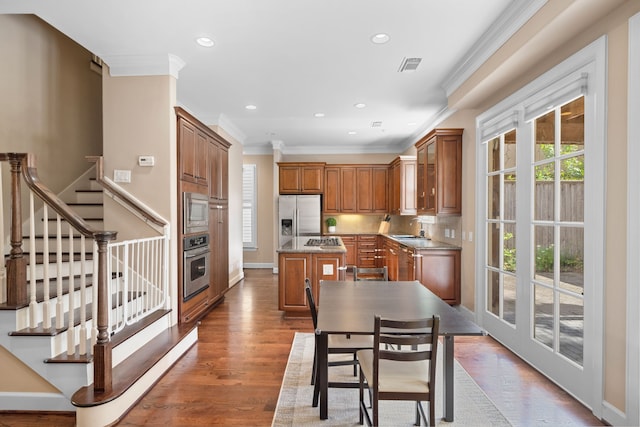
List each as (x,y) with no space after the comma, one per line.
(509,22)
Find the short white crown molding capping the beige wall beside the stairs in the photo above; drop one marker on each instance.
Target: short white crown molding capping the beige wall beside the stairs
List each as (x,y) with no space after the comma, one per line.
(144,65)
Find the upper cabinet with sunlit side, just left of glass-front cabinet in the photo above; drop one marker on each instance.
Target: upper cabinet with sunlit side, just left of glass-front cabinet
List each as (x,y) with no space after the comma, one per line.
(402,185)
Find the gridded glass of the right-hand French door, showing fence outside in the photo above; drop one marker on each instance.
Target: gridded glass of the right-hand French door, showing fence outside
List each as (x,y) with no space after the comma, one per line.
(557,281)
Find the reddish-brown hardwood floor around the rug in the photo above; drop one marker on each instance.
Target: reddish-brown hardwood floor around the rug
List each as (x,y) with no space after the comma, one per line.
(232,376)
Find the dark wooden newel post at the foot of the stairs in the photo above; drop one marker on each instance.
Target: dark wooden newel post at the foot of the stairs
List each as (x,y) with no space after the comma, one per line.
(102,365)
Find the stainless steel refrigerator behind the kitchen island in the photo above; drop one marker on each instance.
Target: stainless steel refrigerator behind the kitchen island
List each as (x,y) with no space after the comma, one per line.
(298,216)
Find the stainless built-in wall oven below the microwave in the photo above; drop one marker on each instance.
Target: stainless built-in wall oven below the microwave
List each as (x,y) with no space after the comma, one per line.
(195,266)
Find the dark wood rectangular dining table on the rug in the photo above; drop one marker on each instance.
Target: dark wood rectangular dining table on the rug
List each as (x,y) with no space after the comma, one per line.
(349,308)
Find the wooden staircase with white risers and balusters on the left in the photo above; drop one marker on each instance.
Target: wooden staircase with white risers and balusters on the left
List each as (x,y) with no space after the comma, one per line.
(63,333)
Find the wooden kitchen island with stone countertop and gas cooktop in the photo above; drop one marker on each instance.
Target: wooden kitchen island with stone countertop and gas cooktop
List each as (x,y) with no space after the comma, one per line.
(313,257)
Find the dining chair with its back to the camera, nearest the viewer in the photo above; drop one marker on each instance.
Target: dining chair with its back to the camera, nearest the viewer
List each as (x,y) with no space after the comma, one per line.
(408,374)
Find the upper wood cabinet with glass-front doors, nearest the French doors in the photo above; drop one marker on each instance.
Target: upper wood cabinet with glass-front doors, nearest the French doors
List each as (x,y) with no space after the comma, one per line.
(439,172)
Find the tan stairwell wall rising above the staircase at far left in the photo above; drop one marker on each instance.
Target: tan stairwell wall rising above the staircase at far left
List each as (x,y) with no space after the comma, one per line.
(50,103)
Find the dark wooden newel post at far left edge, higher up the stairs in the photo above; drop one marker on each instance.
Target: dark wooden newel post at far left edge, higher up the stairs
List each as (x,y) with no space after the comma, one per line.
(17,263)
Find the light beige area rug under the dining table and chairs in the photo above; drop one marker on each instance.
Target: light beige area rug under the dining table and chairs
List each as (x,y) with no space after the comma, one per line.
(471,406)
